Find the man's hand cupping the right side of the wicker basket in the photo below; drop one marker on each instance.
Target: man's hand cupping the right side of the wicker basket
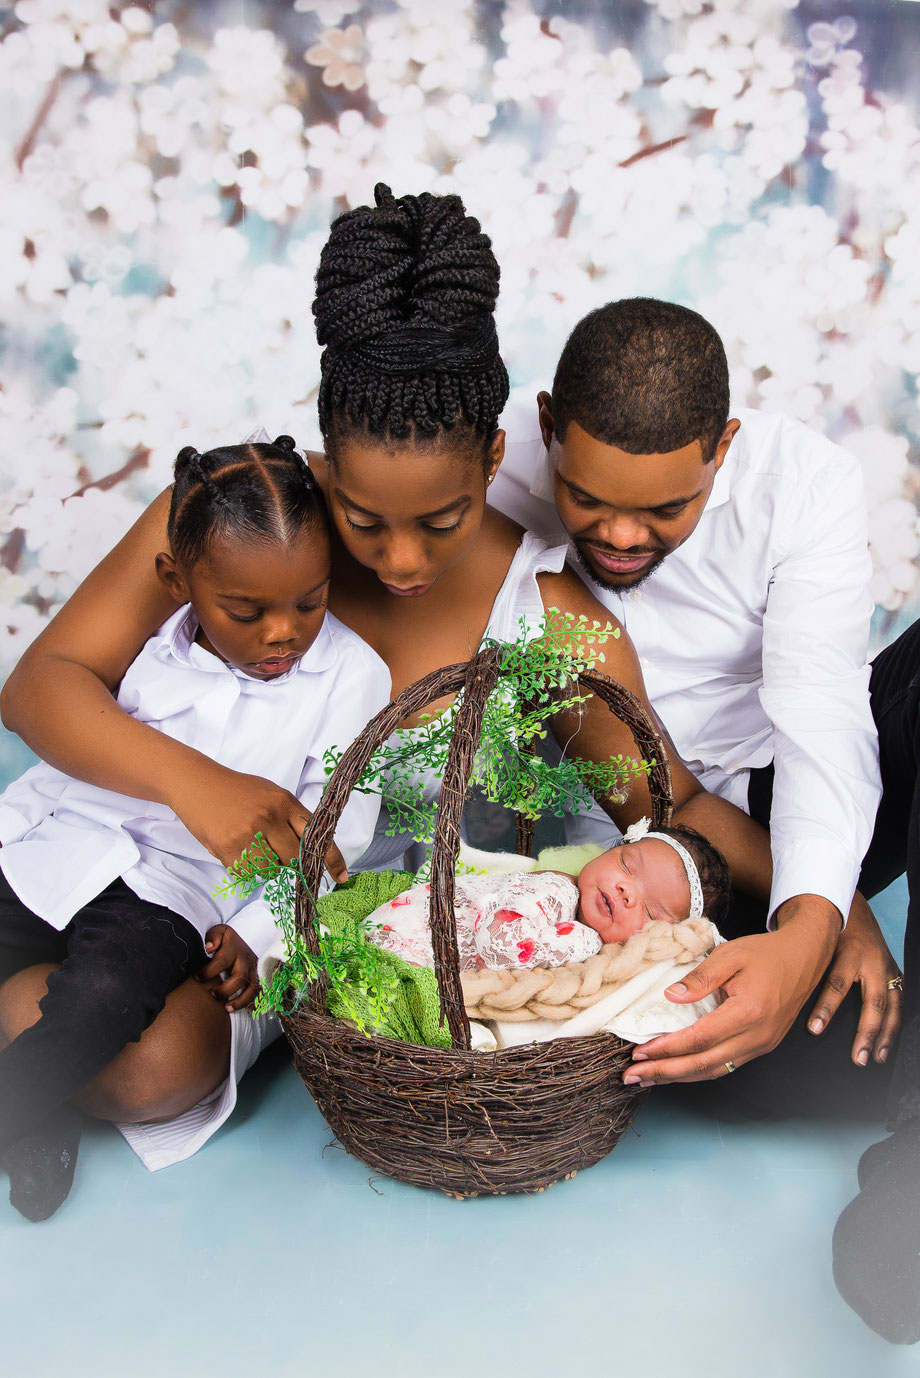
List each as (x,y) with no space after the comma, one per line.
(765,980)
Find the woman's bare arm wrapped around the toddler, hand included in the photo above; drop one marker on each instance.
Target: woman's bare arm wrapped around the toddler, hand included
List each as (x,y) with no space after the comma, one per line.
(61,702)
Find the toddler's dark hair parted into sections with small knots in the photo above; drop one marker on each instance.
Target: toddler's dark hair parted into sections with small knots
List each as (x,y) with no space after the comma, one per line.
(253,493)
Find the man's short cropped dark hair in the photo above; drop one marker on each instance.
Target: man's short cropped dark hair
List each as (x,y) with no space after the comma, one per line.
(647,377)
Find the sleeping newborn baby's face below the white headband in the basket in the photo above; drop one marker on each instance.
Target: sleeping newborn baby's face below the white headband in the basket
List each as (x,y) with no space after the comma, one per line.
(631,885)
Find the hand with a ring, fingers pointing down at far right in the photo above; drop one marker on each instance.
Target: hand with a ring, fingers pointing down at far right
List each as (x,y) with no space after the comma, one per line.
(863,956)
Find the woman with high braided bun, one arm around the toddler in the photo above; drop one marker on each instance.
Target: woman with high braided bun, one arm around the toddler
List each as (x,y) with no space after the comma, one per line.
(411,395)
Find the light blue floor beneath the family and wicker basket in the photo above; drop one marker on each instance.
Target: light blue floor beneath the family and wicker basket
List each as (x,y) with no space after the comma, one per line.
(696,1248)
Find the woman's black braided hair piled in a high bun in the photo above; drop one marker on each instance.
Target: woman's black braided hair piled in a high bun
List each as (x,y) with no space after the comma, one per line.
(406,294)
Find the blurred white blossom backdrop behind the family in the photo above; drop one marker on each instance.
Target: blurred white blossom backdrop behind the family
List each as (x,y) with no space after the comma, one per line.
(170,173)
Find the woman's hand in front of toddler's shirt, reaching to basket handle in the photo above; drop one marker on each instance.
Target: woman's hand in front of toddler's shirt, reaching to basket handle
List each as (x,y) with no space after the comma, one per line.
(225,810)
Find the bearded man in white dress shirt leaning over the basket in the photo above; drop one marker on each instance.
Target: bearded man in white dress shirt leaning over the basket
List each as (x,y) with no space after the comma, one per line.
(735,553)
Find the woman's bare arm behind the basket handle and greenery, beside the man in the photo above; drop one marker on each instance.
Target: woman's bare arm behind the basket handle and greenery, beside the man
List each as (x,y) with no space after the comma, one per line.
(597,734)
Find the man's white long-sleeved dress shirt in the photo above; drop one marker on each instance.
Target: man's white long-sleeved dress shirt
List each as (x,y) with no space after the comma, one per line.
(753,637)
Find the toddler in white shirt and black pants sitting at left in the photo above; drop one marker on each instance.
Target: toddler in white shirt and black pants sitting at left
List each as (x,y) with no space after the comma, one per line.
(115,892)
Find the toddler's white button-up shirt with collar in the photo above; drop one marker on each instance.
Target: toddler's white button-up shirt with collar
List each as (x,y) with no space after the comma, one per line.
(64,841)
